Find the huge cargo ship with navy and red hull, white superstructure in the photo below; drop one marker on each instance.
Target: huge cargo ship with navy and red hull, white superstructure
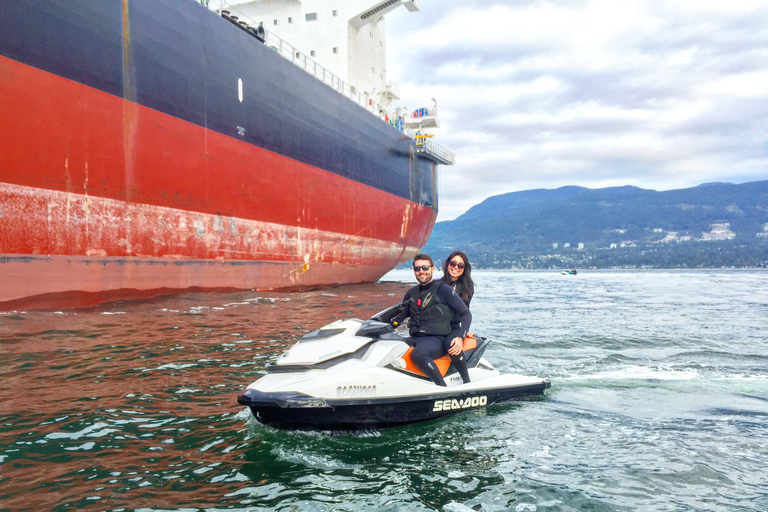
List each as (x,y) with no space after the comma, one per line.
(157,146)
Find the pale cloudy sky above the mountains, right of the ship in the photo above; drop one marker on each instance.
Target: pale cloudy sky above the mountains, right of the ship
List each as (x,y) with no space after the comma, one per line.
(597,93)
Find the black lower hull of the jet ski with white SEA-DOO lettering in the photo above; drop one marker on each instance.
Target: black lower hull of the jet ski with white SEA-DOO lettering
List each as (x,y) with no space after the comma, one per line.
(298,411)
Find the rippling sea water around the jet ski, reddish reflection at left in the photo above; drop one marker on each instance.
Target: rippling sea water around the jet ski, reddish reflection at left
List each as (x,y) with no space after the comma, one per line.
(659,401)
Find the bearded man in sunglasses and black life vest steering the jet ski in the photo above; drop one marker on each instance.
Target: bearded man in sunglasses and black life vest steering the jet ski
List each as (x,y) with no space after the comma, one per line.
(431,306)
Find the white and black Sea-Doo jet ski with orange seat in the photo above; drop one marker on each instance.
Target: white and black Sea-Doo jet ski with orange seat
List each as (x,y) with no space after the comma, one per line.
(357,375)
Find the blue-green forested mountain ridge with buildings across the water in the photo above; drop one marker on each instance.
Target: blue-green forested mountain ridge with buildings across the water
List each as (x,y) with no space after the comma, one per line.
(711,225)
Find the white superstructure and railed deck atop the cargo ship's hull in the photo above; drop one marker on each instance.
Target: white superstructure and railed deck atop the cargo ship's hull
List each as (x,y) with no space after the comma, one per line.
(342,43)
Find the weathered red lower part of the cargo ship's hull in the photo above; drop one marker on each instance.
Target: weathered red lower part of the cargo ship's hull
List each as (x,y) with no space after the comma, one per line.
(102,198)
